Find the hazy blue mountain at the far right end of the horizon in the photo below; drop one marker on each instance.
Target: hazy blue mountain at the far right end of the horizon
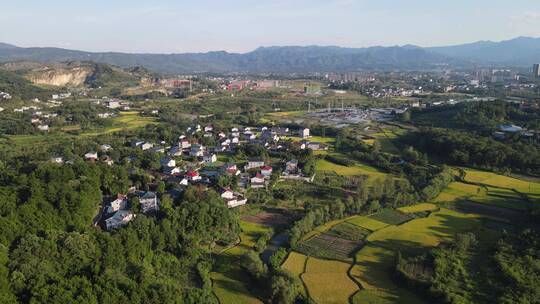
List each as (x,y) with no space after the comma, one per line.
(521,51)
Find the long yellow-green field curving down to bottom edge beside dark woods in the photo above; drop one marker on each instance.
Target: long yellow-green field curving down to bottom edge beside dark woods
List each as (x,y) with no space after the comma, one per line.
(375,261)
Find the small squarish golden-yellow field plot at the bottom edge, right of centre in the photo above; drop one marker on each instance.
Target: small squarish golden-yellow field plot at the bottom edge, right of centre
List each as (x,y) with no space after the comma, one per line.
(327,281)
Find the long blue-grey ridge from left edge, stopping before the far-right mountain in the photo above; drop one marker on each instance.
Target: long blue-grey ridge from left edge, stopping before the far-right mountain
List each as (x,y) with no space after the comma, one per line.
(272,59)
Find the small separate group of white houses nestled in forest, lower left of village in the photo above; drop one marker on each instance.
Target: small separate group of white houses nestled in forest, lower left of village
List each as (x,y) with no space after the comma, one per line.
(117,213)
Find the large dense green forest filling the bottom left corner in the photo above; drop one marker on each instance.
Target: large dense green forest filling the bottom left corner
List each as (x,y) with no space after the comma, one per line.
(50,253)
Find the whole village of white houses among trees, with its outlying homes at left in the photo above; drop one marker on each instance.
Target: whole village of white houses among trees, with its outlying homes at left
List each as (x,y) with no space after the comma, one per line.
(188,162)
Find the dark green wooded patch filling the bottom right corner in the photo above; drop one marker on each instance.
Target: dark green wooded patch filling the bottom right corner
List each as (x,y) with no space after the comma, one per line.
(457,272)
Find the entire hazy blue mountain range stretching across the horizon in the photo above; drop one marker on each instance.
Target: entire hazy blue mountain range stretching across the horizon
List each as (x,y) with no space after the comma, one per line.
(519,52)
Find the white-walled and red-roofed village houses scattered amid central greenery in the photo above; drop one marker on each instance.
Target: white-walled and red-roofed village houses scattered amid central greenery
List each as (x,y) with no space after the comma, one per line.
(199,167)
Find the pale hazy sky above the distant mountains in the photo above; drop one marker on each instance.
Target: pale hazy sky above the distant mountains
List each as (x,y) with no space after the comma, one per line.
(178,26)
